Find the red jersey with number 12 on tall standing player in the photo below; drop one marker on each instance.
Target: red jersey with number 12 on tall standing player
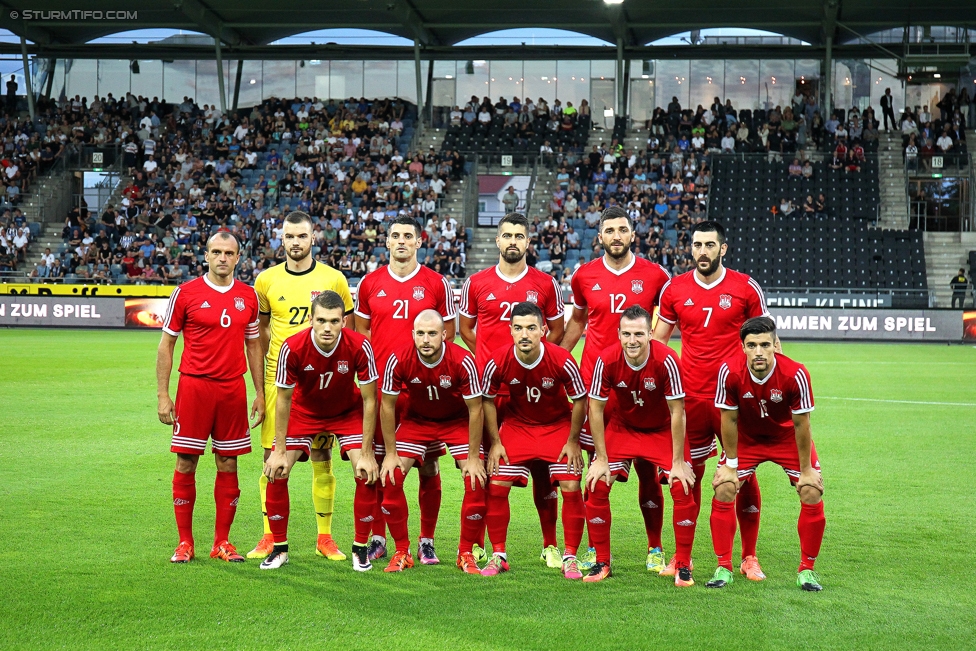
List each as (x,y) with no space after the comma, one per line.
(604,294)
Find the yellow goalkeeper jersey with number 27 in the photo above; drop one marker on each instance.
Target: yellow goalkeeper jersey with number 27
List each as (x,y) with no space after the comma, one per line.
(287,297)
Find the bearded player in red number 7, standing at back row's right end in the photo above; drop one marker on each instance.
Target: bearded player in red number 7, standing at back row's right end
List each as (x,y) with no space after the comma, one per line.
(709,304)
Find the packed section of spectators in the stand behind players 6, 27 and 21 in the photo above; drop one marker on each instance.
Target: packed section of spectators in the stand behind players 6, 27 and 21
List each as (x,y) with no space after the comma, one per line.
(194,171)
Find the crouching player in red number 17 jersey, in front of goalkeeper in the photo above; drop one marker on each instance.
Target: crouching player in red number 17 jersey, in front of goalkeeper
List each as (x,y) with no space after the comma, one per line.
(317,396)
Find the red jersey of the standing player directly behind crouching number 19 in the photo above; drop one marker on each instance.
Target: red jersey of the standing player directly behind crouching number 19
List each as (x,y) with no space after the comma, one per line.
(489,297)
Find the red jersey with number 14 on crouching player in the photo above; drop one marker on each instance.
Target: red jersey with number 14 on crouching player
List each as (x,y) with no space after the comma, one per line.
(641,394)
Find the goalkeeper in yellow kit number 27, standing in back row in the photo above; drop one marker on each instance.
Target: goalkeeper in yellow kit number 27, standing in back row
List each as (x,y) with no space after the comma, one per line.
(285,294)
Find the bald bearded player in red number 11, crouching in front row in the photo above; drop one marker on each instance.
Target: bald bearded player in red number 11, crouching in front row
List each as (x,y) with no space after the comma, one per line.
(444,409)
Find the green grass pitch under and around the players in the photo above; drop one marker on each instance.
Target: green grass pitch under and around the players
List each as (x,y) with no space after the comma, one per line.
(88,529)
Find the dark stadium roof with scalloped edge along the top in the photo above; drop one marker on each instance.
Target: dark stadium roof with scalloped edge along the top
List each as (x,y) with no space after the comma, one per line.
(438,24)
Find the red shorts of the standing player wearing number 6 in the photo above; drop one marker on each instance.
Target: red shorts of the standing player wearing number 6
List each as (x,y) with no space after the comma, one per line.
(215,409)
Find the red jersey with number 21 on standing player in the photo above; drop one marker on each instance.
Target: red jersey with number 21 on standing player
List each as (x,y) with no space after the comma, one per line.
(392,303)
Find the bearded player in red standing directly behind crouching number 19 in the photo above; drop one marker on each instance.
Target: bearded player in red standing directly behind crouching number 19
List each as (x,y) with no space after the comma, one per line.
(487,300)
